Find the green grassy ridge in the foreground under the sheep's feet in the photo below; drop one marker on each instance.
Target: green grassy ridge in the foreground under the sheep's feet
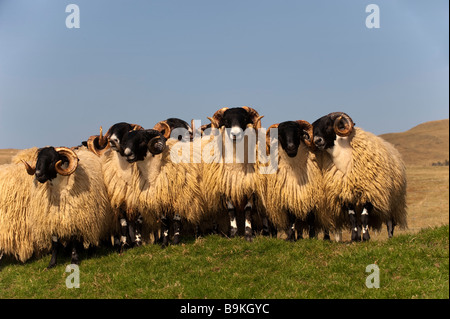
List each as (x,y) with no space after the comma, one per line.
(411,266)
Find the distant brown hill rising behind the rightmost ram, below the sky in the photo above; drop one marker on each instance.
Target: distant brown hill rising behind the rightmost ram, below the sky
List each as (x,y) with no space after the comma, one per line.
(424,144)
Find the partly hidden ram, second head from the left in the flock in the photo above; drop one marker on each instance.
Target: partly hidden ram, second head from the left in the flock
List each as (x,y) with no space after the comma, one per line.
(118,178)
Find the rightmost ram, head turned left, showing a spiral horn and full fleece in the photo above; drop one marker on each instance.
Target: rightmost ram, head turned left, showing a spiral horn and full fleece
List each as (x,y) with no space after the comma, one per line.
(364,176)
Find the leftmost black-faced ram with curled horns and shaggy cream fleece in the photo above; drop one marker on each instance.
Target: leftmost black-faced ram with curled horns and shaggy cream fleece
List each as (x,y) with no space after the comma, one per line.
(68,199)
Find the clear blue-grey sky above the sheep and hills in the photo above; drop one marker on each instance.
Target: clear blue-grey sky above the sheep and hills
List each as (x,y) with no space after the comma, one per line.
(145,61)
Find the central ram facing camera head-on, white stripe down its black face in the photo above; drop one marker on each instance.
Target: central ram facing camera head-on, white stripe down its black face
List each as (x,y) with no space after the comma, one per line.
(232,178)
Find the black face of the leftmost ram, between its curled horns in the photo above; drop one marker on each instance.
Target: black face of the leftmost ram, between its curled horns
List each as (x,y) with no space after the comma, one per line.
(45,165)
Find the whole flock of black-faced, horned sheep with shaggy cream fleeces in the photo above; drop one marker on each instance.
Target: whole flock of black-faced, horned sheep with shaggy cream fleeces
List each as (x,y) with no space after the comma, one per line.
(134,184)
